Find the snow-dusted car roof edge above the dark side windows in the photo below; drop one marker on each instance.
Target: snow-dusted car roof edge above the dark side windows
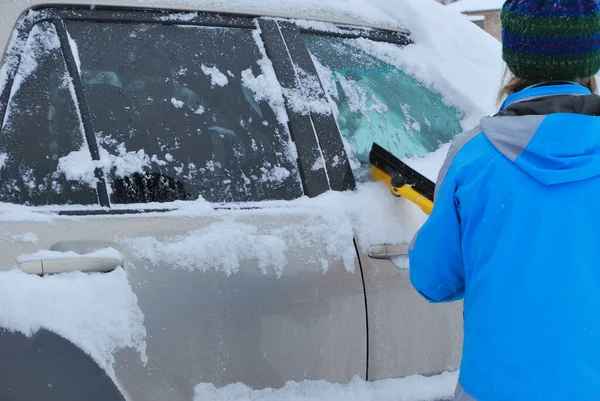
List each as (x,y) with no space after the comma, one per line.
(10,11)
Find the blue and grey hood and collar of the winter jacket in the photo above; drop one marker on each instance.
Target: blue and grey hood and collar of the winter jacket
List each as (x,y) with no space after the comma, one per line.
(550,132)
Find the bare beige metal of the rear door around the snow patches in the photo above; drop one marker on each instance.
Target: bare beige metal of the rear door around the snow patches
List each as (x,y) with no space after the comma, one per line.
(205,326)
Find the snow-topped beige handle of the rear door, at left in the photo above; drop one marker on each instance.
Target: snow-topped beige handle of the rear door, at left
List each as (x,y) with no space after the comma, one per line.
(52,262)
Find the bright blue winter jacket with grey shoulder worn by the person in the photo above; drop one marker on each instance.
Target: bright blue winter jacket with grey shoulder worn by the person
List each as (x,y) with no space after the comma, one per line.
(515,232)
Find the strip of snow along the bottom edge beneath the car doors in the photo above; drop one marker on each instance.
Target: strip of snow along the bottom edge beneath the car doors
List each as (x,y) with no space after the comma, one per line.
(413,388)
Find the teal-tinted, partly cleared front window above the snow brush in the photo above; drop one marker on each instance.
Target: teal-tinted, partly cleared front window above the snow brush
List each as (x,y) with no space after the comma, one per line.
(378,102)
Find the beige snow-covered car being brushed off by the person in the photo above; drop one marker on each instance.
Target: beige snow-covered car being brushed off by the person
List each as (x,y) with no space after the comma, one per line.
(185,194)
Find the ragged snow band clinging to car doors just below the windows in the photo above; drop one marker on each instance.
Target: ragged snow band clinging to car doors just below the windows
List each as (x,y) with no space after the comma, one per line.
(319,230)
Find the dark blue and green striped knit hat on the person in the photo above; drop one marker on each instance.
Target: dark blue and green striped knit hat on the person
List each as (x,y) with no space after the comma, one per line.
(551,39)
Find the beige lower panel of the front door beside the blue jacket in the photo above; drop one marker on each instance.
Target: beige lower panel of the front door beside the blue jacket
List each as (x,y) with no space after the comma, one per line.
(406,333)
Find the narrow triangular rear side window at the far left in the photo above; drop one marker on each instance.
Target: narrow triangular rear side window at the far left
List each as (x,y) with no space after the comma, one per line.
(41,125)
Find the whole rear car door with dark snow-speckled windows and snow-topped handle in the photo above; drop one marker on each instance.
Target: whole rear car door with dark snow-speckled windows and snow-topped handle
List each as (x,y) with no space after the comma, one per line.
(156,148)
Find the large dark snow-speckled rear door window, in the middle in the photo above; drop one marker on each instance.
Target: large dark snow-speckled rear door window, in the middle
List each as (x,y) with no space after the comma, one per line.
(176,118)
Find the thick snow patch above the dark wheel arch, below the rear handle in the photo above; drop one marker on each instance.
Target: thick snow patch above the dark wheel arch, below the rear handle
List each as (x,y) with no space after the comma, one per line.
(99,313)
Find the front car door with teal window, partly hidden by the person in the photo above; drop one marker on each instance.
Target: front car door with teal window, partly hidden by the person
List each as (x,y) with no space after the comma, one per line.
(377,101)
